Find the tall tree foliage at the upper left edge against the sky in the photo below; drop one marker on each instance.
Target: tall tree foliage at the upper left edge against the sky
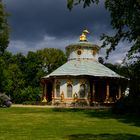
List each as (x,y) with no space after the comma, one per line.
(4,29)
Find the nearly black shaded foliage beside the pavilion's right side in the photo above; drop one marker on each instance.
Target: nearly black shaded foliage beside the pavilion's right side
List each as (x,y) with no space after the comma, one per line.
(130,104)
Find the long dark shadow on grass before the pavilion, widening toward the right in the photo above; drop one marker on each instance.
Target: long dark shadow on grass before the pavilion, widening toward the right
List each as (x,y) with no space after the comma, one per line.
(104,114)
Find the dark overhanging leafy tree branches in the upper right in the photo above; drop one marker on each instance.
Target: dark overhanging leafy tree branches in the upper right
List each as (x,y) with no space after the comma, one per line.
(125,20)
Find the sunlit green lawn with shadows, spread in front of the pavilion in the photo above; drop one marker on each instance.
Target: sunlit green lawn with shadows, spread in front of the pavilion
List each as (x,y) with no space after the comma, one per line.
(66,124)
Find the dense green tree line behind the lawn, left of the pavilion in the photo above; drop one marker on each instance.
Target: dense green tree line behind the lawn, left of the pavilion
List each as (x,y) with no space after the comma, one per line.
(20,75)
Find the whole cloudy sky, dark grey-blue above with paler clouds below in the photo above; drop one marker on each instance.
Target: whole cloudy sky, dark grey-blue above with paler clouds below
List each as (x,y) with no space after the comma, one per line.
(37,24)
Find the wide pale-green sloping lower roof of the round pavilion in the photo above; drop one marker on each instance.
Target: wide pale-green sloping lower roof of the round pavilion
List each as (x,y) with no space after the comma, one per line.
(84,67)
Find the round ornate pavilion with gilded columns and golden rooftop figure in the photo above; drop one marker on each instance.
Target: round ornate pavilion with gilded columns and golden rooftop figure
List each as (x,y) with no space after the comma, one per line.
(82,79)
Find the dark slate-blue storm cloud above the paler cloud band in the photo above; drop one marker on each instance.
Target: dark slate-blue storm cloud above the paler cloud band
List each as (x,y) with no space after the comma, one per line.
(31,20)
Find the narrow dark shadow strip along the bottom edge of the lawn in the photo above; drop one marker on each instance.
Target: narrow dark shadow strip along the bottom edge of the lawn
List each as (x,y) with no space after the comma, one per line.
(103,137)
